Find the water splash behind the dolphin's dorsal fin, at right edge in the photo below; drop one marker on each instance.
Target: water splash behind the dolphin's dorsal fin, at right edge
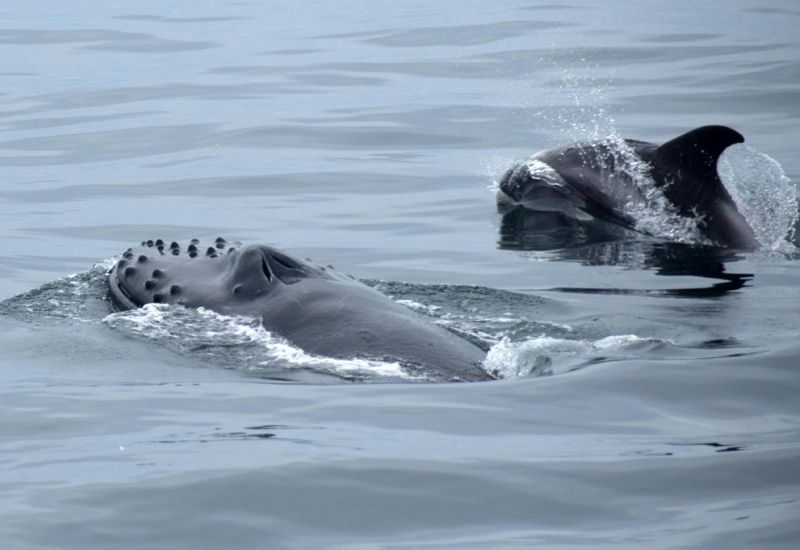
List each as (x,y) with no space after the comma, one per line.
(762,193)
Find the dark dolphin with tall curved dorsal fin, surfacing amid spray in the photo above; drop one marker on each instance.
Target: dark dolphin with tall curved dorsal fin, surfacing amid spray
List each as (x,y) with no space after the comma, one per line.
(597,181)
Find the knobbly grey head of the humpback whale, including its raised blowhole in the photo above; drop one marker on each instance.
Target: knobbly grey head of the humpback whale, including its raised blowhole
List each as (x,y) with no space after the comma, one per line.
(219,277)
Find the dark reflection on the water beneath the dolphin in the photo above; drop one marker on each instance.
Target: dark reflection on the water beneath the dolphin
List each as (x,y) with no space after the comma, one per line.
(597,243)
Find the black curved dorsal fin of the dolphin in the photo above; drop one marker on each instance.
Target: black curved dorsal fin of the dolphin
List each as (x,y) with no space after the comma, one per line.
(698,150)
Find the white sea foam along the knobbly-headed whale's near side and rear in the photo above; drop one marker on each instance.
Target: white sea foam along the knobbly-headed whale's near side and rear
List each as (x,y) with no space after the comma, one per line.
(245,344)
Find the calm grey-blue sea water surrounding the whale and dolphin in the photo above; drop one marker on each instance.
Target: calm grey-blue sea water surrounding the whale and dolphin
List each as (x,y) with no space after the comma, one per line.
(649,391)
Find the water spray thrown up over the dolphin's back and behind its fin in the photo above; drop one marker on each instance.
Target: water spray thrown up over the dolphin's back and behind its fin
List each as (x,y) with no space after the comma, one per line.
(756,182)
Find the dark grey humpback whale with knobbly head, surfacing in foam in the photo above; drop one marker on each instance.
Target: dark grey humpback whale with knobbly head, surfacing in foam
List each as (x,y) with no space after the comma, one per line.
(317,309)
